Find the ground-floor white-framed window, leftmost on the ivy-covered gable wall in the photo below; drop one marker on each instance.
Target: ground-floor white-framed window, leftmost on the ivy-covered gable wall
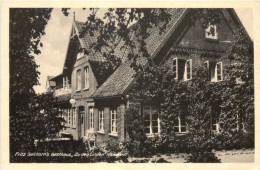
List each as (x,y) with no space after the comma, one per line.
(151,120)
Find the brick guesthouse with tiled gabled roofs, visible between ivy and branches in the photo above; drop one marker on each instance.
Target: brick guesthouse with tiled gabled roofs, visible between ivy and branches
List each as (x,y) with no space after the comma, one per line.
(94,102)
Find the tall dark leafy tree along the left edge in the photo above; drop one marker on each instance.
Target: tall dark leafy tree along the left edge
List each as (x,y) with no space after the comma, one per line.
(26,29)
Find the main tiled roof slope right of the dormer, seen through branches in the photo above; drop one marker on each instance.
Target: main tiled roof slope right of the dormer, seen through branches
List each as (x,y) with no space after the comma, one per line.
(119,81)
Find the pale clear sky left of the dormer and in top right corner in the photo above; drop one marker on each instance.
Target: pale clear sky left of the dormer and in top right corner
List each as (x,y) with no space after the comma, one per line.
(55,41)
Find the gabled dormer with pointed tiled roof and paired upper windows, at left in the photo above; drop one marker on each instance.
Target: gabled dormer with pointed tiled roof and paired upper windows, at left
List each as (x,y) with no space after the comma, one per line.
(83,64)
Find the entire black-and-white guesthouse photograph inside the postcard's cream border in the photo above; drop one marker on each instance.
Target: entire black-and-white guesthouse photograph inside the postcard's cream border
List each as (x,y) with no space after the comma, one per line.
(131,85)
